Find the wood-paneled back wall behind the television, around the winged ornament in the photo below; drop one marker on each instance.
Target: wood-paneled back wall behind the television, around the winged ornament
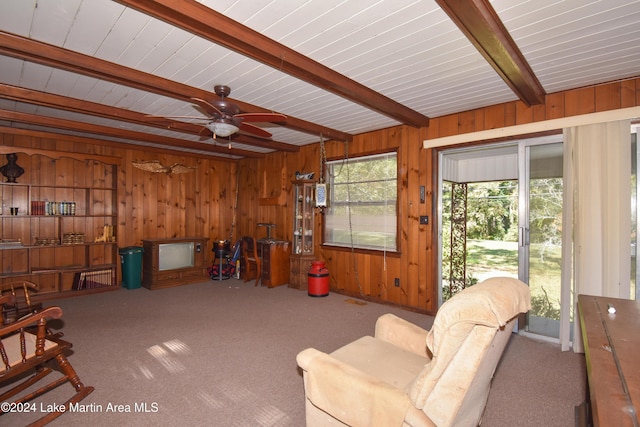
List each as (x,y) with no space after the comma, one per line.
(152,205)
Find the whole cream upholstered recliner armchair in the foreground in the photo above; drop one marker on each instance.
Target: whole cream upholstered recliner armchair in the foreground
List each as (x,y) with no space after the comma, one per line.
(407,376)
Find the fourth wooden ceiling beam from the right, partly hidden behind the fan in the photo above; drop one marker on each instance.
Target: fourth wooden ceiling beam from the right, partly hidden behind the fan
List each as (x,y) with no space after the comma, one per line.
(92,108)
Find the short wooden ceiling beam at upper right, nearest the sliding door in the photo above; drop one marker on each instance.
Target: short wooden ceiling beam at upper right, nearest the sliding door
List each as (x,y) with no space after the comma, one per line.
(482,26)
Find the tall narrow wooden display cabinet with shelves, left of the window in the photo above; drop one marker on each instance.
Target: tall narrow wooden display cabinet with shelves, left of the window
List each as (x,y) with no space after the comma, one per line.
(303,232)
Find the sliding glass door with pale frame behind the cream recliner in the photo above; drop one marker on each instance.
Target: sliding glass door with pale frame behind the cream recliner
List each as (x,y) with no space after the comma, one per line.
(501,215)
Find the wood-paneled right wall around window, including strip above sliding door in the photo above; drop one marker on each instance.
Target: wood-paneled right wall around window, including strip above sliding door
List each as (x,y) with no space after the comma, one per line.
(371,274)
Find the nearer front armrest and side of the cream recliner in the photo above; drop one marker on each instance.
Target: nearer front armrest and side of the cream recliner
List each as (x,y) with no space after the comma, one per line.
(348,394)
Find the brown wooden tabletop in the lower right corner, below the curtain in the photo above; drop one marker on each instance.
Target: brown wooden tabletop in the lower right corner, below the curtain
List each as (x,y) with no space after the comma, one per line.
(612,351)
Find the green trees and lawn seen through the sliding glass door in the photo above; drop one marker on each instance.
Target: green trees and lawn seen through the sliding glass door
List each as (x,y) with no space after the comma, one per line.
(492,237)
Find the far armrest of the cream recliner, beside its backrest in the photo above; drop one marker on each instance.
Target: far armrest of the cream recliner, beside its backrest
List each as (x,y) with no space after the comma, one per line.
(402,333)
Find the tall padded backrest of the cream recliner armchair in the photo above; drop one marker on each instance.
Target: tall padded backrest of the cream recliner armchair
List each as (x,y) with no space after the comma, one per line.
(469,334)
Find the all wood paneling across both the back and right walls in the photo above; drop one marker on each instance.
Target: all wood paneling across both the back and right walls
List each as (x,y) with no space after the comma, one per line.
(203,203)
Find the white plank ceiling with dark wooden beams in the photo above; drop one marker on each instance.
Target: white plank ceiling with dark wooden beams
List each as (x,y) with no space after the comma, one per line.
(109,71)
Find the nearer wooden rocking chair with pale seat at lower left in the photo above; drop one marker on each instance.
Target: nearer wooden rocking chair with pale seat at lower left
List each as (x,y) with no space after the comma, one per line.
(25,347)
